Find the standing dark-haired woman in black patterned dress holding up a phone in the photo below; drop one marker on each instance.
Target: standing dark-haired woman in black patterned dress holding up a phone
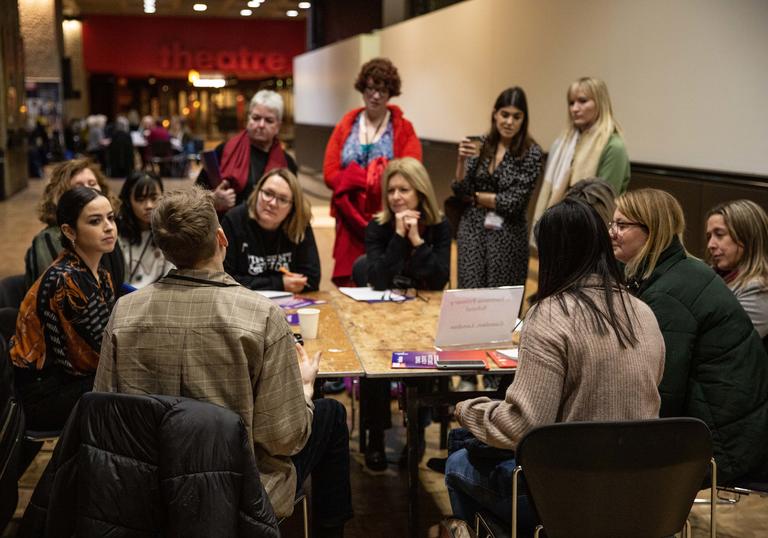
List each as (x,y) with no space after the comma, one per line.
(499,177)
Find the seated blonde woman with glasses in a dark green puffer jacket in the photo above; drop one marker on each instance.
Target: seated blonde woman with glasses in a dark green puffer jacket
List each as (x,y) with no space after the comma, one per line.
(716,368)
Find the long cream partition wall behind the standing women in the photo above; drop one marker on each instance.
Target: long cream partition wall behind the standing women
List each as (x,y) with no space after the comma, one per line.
(688,78)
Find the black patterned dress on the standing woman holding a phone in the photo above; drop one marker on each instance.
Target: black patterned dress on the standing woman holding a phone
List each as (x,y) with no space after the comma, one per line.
(490,258)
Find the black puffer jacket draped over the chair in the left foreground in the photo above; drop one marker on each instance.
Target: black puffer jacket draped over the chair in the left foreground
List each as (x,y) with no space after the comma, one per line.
(129,465)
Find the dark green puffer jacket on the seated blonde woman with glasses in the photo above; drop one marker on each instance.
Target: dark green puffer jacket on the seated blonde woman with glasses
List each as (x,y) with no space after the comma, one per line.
(716,367)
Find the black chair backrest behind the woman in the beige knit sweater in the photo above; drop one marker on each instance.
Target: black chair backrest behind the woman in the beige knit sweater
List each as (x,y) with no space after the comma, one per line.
(606,479)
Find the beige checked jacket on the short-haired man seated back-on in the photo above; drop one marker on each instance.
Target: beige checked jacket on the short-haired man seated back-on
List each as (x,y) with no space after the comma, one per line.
(211,339)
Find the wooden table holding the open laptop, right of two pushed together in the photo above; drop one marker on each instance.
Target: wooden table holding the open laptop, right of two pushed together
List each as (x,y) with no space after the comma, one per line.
(378,329)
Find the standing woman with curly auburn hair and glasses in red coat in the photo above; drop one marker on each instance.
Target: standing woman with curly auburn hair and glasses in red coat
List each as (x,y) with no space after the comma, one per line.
(358,151)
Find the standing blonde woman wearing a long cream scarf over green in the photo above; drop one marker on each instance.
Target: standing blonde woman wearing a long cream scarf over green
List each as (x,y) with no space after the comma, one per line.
(591,145)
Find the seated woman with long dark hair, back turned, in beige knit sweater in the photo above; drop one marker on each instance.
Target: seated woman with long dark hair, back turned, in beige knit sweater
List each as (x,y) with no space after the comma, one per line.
(586,335)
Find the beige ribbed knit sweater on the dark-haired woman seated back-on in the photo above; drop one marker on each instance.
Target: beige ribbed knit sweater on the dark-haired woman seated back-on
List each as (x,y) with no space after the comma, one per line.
(567,372)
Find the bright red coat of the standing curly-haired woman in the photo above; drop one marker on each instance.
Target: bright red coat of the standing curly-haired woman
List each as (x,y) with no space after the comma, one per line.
(357,192)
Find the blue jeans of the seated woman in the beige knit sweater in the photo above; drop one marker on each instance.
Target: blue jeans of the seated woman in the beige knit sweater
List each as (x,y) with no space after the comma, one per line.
(485,485)
